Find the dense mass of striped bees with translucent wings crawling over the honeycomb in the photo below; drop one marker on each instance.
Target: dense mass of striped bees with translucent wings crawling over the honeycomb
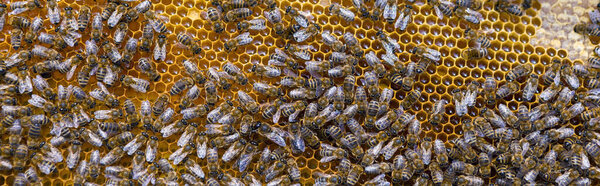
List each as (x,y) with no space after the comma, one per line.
(335,106)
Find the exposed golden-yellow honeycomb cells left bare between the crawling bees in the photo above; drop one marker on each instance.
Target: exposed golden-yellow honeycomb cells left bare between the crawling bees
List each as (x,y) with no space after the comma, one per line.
(512,44)
